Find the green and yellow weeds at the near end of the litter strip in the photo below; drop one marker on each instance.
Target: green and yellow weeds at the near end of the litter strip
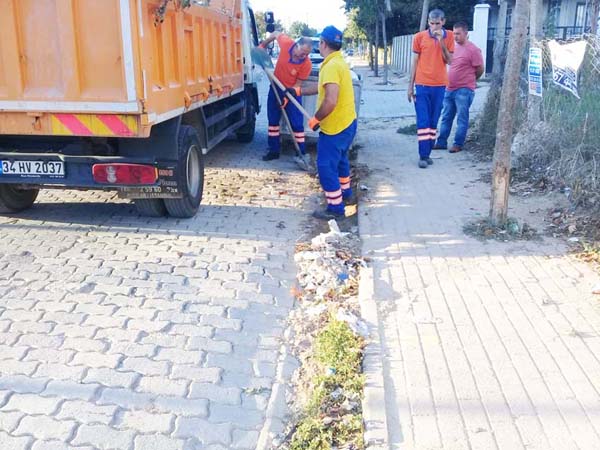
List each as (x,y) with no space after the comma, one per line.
(333,416)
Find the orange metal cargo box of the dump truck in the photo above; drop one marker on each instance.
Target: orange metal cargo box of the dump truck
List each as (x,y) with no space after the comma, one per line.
(113,67)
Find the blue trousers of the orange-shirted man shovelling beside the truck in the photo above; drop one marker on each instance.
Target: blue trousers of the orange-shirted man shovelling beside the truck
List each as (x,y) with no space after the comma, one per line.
(274,116)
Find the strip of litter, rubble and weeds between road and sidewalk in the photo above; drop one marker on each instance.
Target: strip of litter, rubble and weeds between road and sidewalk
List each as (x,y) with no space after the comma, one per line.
(328,271)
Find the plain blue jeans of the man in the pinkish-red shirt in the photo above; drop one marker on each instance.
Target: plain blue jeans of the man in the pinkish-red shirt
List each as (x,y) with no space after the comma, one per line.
(456,103)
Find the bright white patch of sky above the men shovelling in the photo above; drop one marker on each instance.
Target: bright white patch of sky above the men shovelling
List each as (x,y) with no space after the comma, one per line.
(316,13)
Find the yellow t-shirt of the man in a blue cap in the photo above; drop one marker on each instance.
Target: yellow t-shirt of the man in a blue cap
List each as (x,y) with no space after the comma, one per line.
(335,70)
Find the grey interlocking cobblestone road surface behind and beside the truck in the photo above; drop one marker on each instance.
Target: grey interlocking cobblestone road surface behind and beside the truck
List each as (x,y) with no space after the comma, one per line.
(124,332)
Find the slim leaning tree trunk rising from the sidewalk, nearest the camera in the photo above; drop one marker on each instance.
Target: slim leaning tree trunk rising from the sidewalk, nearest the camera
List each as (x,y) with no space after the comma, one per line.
(506,114)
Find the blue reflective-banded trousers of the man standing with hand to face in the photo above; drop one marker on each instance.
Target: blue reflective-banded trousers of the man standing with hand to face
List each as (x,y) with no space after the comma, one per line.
(428,106)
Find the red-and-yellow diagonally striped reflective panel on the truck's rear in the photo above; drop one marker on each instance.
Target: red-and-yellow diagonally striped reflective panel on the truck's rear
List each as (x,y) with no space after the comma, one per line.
(94,125)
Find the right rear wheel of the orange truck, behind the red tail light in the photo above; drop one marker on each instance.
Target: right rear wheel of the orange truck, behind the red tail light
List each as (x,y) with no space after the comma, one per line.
(190,175)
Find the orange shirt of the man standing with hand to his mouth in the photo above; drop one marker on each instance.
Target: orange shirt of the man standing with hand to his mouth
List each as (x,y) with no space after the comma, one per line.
(431,68)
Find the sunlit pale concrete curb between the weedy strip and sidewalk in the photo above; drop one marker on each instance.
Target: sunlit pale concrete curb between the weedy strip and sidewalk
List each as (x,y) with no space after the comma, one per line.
(374,411)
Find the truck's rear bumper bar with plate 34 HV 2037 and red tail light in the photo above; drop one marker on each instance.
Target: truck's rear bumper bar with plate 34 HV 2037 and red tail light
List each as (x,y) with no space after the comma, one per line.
(132,178)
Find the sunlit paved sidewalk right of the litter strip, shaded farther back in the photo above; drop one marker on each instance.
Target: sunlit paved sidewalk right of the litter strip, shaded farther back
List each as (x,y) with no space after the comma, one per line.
(484,345)
